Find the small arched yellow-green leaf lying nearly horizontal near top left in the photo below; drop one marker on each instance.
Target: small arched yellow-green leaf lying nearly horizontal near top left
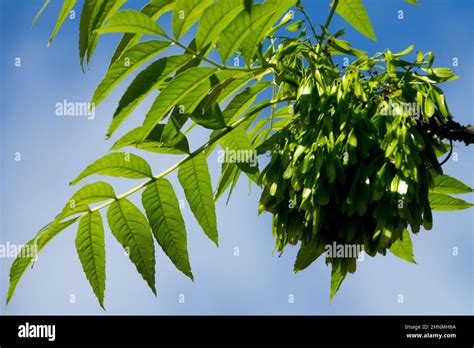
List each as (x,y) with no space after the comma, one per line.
(130,21)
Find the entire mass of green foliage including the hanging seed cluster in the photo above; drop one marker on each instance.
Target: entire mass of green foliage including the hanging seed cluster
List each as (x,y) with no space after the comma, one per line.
(341,171)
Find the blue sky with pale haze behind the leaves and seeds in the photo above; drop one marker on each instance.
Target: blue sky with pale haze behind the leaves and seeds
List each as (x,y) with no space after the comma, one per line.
(54,150)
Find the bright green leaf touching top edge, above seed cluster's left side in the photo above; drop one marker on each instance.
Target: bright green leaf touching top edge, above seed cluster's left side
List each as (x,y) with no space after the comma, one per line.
(244,25)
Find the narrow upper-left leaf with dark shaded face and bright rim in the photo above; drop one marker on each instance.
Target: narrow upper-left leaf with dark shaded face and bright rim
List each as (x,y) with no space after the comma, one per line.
(146,81)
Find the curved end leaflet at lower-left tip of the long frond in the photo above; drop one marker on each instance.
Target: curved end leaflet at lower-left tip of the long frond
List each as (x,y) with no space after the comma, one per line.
(29,252)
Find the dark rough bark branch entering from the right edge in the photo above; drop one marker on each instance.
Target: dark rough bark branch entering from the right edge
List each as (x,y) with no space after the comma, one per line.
(451,130)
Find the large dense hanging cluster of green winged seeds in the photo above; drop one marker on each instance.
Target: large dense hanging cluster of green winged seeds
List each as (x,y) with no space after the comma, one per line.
(344,172)
